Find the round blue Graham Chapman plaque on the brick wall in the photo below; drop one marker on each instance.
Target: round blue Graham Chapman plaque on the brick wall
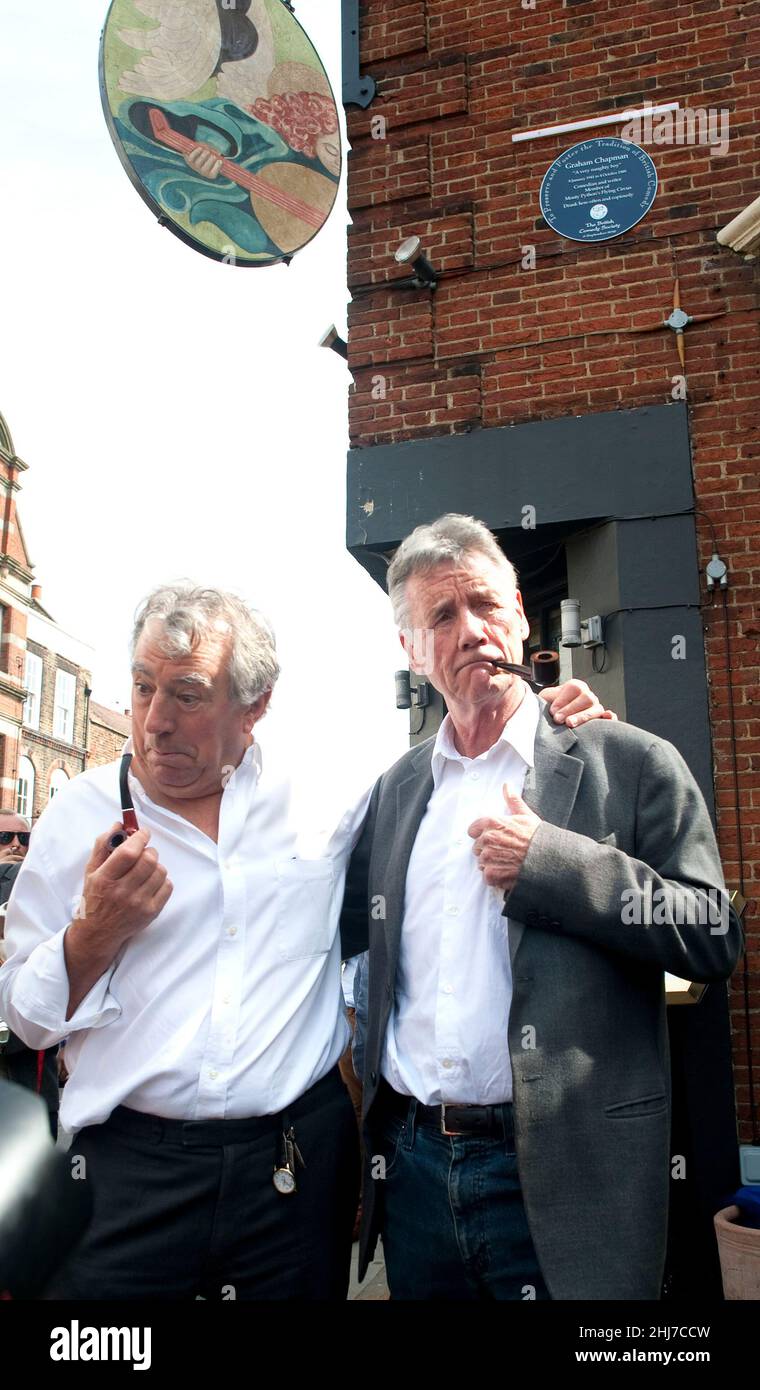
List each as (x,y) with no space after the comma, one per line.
(598,190)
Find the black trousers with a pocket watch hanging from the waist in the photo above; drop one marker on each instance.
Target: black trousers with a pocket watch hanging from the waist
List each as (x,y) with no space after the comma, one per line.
(191,1209)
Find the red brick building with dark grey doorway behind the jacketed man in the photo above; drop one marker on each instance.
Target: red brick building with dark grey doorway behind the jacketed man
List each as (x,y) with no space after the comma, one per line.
(540,387)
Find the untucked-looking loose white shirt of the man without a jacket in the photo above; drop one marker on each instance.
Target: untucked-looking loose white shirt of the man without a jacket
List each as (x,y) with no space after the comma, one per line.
(229,1004)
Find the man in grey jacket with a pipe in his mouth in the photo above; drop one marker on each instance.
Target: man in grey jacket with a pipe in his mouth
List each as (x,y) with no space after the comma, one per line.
(522,889)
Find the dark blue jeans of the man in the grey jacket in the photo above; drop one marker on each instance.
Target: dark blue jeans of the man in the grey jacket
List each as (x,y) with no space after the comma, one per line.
(455,1223)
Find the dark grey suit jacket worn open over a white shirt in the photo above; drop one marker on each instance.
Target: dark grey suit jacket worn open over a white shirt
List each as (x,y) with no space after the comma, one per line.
(623,821)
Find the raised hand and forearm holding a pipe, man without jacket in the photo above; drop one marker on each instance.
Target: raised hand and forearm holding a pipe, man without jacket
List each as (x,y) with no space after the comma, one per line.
(123,894)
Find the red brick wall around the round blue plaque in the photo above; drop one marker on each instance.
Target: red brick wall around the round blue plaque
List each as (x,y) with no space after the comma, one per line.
(499,344)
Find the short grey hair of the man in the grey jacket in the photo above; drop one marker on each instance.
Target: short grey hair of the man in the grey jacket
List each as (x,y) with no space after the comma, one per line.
(447,541)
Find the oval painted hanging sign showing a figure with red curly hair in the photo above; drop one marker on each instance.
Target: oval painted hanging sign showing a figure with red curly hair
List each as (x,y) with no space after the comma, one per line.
(226,122)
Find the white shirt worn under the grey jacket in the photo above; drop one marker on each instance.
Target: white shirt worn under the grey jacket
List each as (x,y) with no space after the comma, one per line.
(448,1032)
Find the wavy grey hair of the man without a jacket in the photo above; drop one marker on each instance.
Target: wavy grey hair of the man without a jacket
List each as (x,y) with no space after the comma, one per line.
(190,614)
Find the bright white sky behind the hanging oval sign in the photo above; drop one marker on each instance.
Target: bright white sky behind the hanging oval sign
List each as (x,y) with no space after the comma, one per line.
(177,415)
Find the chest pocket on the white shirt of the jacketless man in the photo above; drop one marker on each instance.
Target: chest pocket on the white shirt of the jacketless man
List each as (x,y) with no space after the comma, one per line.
(306,908)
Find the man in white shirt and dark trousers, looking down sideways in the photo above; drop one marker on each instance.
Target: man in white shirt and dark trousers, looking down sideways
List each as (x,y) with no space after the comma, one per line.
(166,925)
